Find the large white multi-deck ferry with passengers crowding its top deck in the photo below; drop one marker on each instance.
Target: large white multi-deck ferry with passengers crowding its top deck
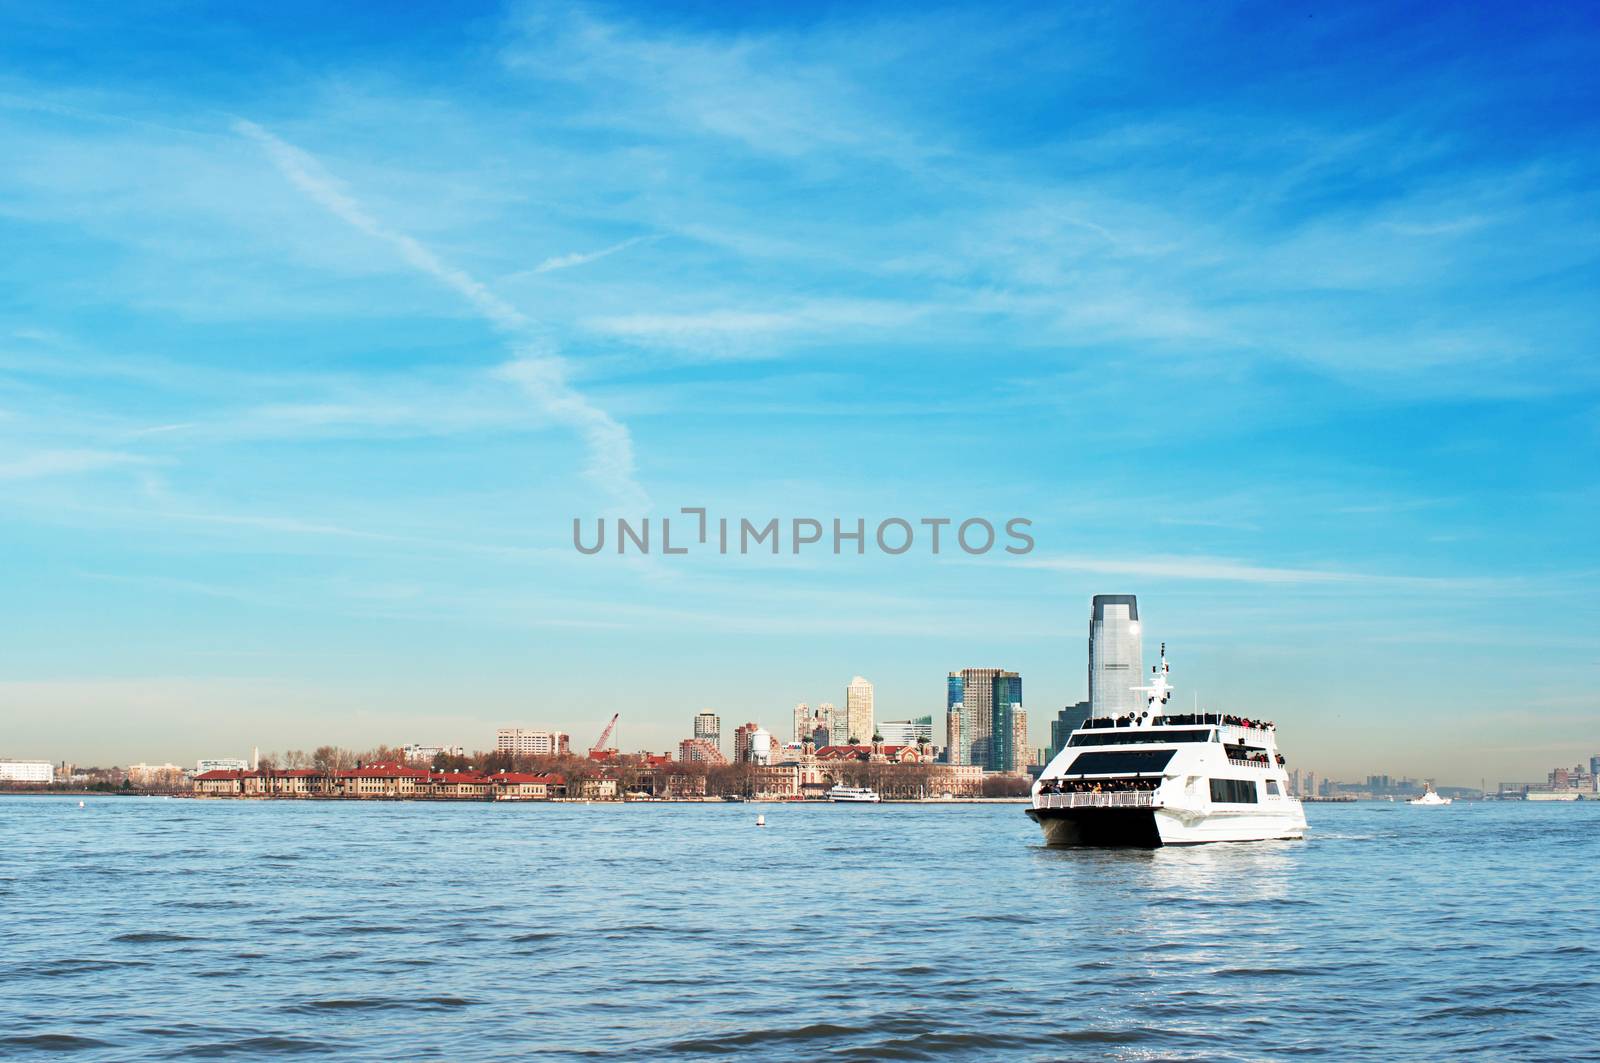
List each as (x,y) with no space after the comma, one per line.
(1161,779)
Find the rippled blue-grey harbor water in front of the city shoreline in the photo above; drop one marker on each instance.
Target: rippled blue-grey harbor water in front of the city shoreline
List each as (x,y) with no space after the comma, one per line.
(170,929)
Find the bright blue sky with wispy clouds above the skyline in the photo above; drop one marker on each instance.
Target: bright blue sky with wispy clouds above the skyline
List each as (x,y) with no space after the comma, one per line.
(319,327)
